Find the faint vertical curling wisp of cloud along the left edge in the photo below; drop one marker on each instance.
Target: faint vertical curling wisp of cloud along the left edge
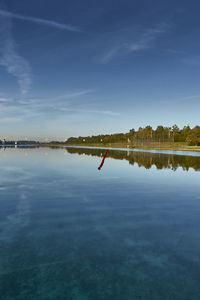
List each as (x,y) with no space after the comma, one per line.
(10,59)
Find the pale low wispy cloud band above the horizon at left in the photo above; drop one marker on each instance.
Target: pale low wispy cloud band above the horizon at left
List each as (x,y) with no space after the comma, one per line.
(20,110)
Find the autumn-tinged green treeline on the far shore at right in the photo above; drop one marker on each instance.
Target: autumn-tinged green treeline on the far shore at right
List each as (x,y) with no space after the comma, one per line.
(161,134)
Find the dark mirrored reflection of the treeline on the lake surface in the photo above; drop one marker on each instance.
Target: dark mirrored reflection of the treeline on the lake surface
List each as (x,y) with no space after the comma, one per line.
(146,159)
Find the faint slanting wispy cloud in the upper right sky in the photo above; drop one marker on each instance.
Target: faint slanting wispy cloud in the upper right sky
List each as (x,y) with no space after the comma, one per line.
(124,46)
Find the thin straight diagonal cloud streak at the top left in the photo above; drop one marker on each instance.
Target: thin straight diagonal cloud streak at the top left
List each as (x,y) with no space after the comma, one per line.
(40,21)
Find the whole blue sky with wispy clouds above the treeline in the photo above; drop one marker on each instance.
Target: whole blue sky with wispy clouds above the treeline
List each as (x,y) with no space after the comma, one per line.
(70,68)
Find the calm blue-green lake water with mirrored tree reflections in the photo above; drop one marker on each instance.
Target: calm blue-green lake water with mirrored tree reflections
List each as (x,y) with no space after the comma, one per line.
(69,231)
